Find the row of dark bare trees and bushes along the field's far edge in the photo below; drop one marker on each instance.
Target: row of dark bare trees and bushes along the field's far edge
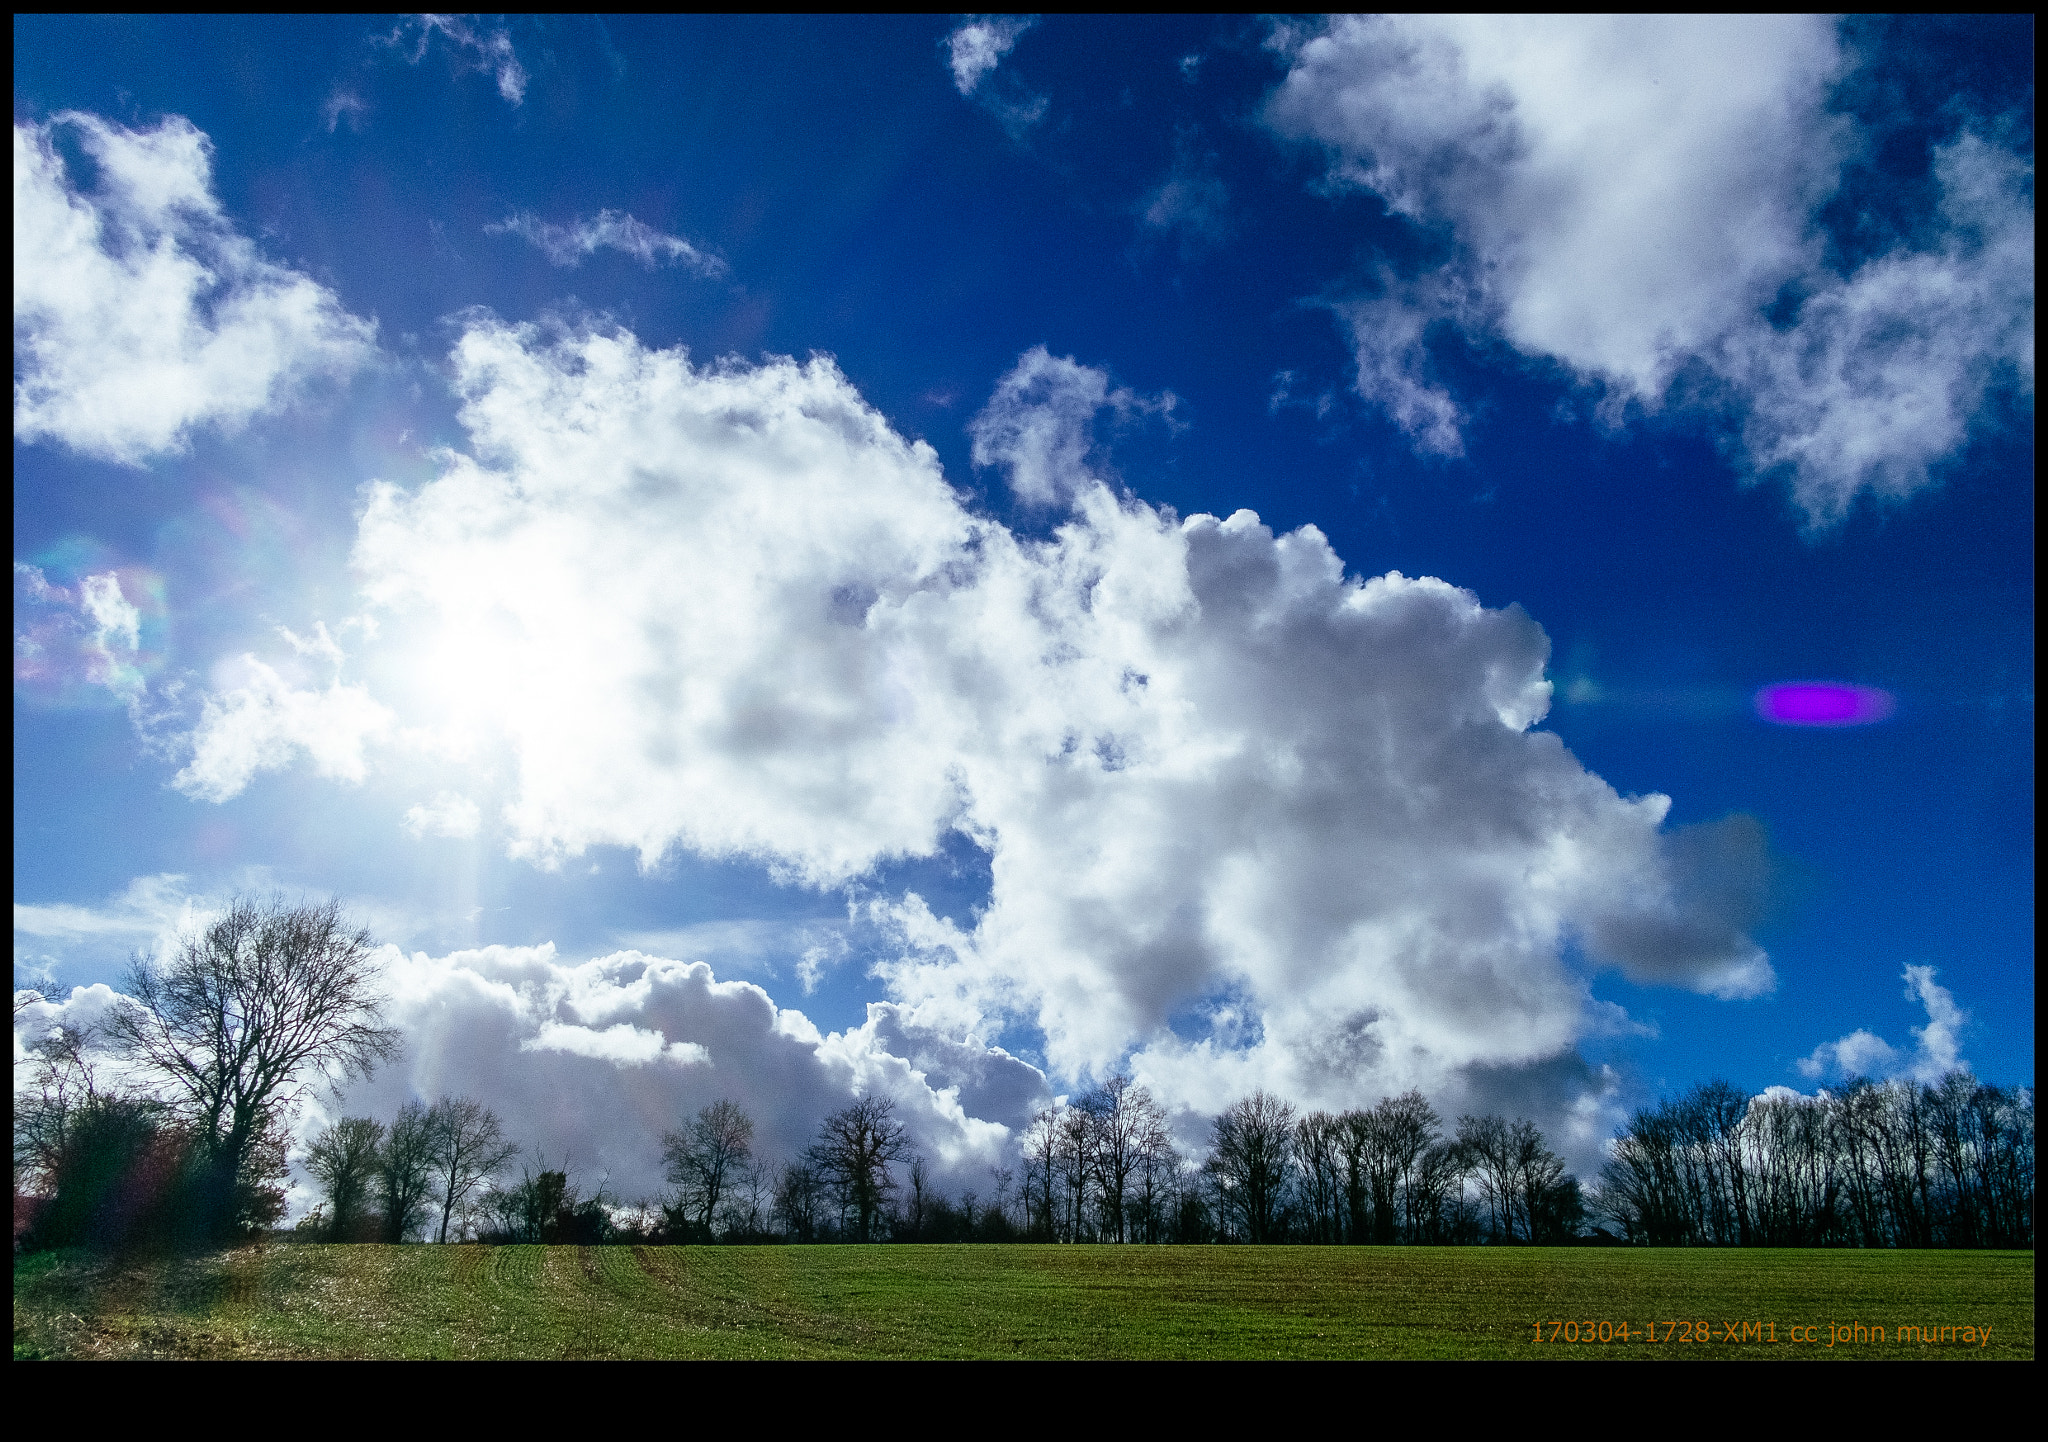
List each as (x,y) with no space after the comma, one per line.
(245,1015)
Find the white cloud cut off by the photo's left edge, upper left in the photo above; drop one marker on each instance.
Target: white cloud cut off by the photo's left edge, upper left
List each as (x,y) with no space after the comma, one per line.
(140,312)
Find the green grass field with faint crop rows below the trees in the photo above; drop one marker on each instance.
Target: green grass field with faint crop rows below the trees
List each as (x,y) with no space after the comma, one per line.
(1019,1302)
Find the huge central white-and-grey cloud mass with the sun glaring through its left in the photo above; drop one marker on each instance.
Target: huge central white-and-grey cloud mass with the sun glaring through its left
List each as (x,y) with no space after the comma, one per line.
(1250,820)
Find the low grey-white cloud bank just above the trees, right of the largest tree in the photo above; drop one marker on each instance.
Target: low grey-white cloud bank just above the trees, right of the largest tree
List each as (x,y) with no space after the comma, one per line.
(593,1062)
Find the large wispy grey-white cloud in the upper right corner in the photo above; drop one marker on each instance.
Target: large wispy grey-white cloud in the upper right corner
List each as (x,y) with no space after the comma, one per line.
(1629,196)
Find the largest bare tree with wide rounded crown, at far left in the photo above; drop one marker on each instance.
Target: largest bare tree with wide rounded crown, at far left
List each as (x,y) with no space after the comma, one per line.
(243,1015)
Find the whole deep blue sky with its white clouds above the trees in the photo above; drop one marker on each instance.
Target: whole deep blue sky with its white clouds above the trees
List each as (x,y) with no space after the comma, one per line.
(785,558)
